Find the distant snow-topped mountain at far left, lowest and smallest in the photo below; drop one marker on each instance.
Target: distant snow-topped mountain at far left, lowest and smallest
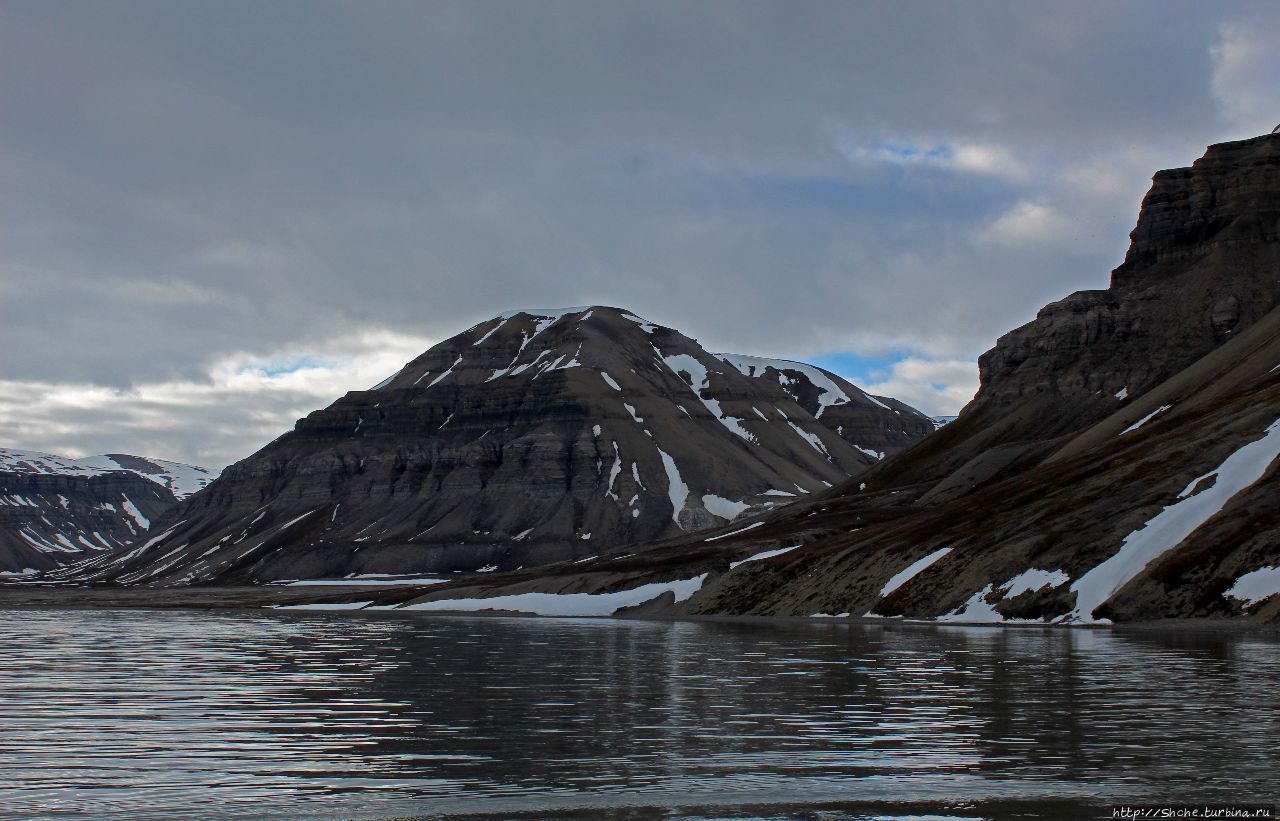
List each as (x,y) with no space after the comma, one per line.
(56,510)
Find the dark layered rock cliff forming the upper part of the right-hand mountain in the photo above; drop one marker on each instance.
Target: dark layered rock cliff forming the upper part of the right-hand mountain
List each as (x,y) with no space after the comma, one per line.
(1197,273)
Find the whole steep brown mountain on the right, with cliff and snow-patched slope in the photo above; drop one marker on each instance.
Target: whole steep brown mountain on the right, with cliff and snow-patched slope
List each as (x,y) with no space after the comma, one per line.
(1119,462)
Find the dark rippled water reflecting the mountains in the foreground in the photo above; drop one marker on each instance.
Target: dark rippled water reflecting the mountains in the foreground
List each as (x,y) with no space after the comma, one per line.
(148,714)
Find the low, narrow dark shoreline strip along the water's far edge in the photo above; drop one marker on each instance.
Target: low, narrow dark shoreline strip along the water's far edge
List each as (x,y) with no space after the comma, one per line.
(268,597)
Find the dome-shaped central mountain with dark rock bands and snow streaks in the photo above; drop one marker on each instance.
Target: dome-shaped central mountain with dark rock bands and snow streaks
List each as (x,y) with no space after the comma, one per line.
(534,437)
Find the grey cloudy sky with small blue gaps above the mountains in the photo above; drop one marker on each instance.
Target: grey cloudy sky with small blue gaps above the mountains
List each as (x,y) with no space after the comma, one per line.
(218,217)
